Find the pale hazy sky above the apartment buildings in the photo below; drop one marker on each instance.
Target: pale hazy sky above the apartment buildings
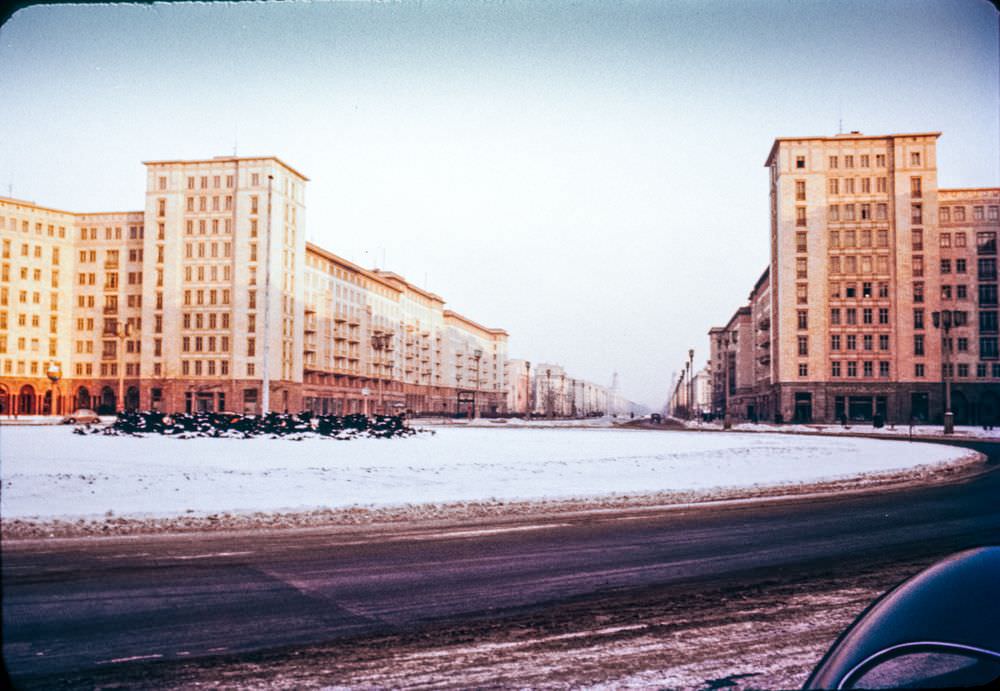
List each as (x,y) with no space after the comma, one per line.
(586,175)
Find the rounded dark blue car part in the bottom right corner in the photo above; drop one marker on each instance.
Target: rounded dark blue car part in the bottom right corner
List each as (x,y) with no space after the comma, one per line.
(939,629)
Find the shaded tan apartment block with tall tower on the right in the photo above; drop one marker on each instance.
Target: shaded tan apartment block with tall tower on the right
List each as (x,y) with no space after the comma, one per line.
(865,249)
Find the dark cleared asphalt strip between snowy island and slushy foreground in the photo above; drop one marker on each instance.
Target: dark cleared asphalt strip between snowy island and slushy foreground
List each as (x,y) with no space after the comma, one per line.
(75,606)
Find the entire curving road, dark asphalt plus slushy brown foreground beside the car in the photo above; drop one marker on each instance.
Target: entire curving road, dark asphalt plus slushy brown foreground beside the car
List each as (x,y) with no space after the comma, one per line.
(444,599)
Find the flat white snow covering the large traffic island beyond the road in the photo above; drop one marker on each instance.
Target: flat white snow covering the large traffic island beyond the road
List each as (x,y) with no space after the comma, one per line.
(49,472)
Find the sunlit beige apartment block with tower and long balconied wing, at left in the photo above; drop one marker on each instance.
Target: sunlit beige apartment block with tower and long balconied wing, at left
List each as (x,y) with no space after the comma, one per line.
(210,291)
